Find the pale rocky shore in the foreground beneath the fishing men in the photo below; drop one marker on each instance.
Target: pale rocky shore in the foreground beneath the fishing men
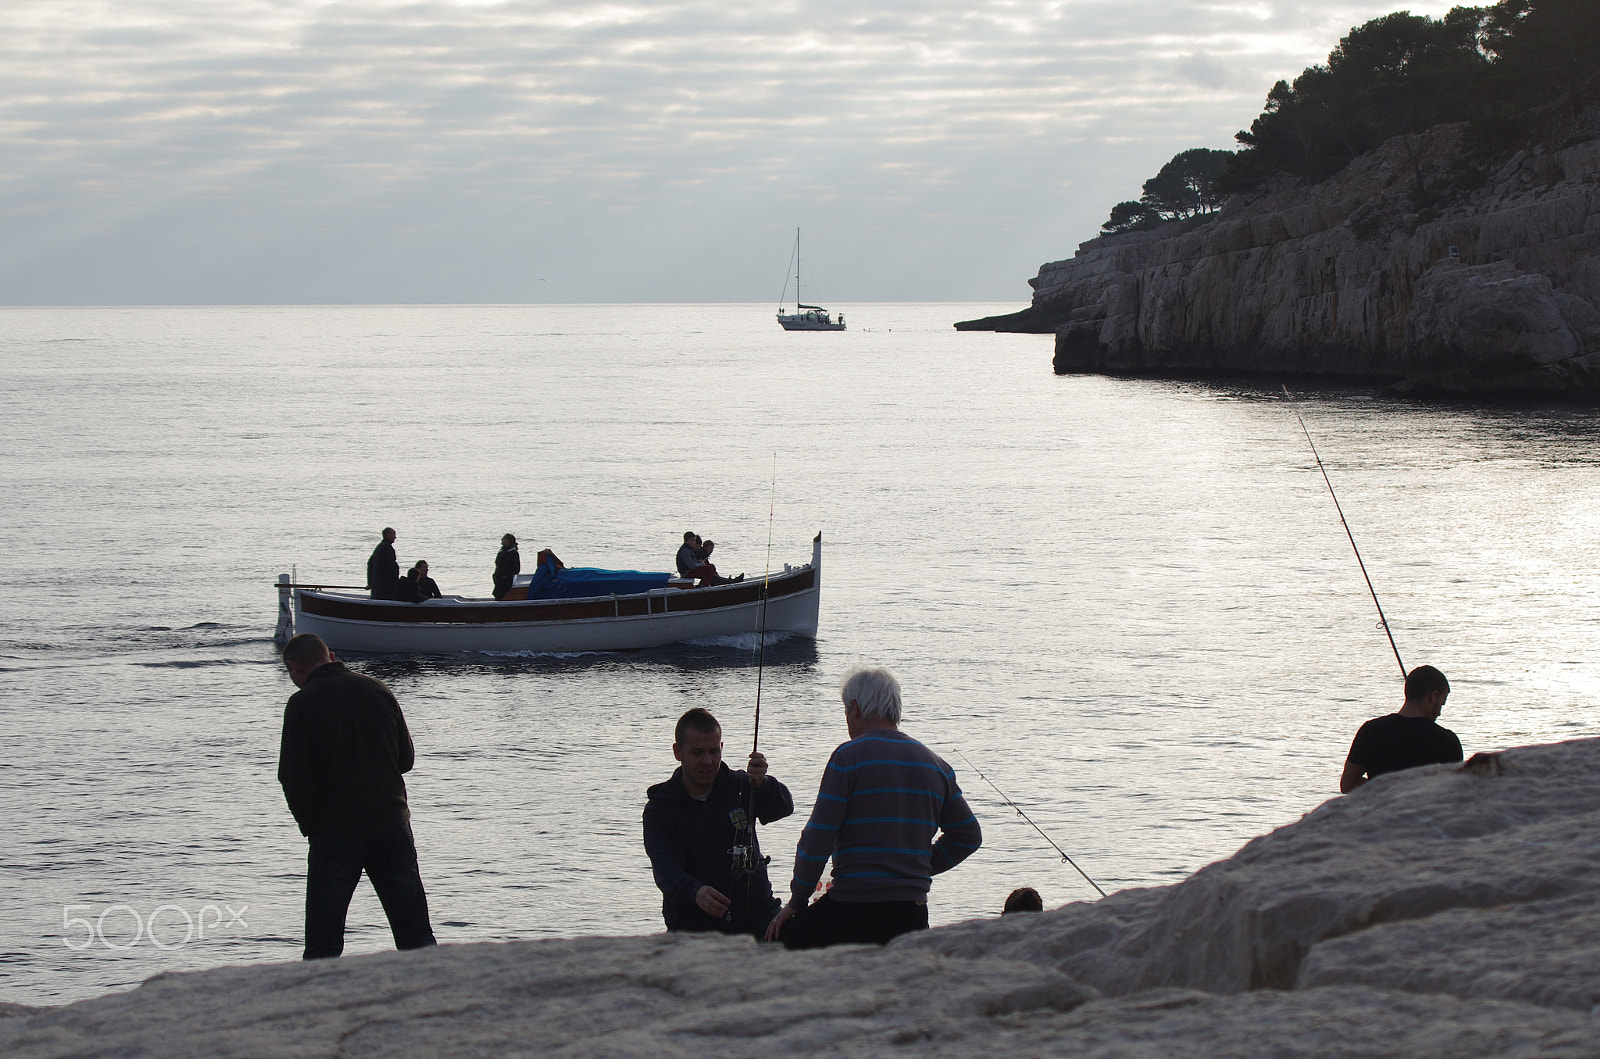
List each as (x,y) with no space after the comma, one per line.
(1438,913)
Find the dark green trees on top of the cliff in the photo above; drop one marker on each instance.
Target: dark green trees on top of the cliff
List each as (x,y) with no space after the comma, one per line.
(1404,73)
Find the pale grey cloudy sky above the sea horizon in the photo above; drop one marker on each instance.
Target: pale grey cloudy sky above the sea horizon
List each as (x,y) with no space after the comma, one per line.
(553,151)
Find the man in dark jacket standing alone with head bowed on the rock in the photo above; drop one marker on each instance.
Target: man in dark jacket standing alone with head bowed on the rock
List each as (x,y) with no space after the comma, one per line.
(345,749)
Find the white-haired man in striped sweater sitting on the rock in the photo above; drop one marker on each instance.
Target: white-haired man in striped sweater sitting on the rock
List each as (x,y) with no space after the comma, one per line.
(884,799)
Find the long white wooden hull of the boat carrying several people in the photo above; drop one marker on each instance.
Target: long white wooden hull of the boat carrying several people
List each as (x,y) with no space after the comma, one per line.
(354,621)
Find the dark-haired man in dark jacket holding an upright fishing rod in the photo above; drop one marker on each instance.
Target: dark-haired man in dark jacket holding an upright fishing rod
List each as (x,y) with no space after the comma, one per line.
(702,841)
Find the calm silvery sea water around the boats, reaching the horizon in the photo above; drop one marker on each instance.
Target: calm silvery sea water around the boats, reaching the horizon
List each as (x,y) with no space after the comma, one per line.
(1130,604)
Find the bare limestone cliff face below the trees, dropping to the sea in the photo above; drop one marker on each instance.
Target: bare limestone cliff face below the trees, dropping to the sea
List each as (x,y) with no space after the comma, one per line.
(1494,290)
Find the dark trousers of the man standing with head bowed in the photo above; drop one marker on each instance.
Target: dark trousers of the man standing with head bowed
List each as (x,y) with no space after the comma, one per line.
(335,866)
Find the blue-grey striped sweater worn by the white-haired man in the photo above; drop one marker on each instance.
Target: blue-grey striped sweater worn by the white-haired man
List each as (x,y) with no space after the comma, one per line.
(884,797)
